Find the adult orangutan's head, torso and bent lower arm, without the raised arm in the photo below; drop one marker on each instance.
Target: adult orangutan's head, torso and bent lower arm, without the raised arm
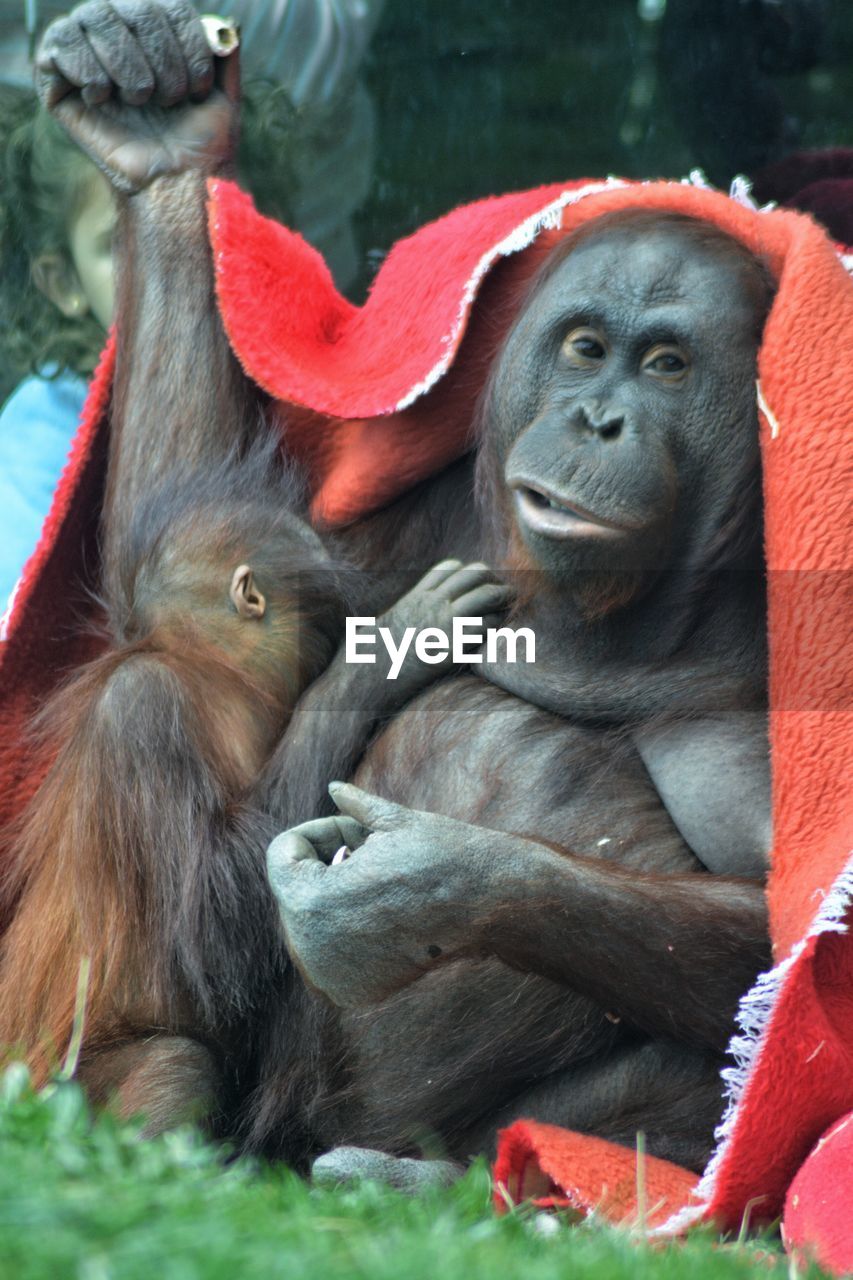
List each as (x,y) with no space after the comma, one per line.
(619,436)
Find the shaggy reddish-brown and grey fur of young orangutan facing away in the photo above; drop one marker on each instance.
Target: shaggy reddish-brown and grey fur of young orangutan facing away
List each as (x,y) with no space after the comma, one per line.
(142,851)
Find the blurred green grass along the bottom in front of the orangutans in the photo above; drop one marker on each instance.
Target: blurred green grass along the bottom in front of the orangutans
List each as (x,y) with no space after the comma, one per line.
(83,1197)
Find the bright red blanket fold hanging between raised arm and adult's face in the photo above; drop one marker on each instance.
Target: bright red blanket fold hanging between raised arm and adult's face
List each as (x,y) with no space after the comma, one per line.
(346,374)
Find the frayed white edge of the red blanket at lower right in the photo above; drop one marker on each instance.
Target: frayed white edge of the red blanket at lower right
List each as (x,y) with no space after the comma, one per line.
(754,1021)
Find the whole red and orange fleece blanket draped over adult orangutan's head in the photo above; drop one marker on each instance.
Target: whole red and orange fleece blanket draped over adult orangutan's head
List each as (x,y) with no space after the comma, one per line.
(376,399)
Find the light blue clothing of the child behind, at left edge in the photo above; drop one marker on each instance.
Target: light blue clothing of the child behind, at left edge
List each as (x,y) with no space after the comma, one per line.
(38,424)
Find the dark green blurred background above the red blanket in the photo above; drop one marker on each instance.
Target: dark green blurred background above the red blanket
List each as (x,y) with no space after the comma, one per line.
(481,97)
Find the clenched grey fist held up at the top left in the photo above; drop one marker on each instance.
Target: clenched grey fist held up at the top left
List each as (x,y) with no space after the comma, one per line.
(138,88)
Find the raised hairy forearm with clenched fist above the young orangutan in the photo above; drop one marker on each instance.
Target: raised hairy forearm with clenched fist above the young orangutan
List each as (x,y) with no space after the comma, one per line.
(139,89)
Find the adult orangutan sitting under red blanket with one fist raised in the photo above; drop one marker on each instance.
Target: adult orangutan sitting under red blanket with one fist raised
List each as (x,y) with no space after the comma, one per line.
(576,959)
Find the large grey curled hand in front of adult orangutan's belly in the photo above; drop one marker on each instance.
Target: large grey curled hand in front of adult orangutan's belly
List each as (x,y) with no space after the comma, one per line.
(416,892)
